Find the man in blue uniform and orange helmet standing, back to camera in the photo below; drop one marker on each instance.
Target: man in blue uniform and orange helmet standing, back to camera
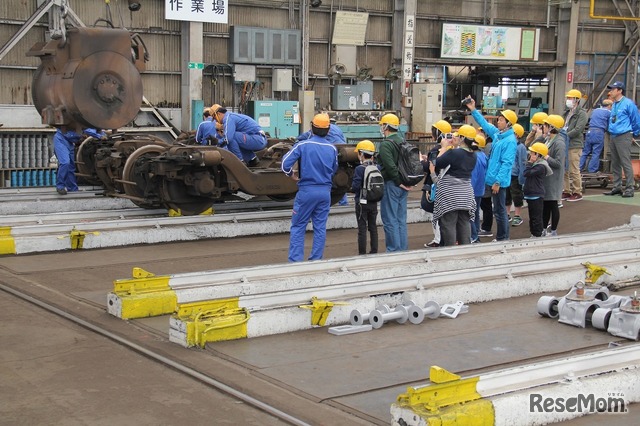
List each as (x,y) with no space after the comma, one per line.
(317,162)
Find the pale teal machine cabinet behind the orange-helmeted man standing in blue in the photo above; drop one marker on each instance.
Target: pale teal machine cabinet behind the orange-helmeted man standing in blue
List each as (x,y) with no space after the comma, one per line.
(281,119)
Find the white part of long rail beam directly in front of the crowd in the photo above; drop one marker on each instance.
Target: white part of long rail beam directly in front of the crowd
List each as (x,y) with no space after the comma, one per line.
(395,265)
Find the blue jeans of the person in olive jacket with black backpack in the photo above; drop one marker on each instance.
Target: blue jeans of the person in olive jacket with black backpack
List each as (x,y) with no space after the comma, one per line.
(393,211)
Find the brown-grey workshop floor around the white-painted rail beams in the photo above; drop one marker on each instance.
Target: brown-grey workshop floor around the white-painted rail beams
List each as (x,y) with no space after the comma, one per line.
(59,373)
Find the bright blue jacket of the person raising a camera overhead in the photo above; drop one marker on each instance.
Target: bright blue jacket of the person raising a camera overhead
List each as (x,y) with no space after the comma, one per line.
(503,152)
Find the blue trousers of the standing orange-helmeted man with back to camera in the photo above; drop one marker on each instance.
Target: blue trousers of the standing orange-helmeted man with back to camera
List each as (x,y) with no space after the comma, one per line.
(312,203)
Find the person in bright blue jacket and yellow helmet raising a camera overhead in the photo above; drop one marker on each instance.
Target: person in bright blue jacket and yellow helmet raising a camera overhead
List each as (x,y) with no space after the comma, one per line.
(503,154)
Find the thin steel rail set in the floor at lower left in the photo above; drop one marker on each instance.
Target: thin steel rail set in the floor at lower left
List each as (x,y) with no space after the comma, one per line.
(157,357)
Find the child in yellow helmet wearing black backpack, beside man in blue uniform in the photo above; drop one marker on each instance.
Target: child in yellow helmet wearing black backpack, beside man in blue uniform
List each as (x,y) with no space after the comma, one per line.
(368,185)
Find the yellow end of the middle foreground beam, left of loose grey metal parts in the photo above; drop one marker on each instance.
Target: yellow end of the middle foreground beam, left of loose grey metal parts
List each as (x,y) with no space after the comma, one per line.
(213,321)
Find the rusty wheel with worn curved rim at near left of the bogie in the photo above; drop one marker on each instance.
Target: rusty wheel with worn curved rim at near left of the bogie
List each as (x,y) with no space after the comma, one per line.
(138,183)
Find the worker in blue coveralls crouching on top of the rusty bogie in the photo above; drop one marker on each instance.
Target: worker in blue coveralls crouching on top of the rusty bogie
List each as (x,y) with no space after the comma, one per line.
(242,134)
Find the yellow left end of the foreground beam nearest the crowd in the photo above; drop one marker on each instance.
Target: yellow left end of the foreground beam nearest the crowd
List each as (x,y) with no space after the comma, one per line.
(145,295)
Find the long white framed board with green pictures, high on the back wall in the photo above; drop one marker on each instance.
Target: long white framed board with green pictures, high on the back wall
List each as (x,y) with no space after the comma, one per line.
(462,41)
